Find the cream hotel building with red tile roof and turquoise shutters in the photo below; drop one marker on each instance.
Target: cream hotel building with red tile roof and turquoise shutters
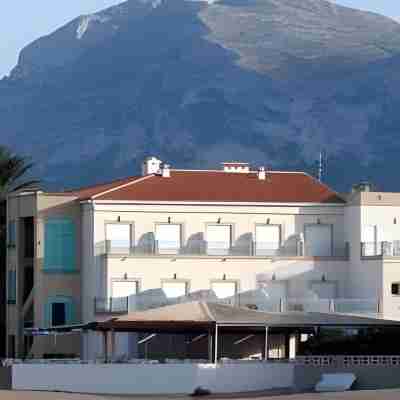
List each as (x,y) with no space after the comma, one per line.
(274,240)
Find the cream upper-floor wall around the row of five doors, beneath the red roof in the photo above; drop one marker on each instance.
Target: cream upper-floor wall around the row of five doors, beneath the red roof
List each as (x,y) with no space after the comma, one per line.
(244,218)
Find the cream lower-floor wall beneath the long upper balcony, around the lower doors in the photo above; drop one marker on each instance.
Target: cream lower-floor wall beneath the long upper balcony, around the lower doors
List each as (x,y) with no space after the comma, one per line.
(299,274)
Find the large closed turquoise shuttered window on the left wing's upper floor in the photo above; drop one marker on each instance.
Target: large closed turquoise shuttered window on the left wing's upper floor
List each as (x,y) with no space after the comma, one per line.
(60,245)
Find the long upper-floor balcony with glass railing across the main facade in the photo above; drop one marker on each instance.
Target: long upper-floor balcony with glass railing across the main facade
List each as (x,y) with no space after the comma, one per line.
(202,248)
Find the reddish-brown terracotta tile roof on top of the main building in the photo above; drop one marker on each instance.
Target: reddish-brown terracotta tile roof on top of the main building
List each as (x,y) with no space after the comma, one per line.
(219,186)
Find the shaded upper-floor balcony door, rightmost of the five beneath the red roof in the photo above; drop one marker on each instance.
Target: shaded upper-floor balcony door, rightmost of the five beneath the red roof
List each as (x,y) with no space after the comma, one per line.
(318,240)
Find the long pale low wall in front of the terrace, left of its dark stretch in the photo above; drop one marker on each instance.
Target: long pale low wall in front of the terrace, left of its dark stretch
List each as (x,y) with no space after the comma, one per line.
(152,379)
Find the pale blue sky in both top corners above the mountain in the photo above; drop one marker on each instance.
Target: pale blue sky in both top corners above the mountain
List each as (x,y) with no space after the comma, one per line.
(22,21)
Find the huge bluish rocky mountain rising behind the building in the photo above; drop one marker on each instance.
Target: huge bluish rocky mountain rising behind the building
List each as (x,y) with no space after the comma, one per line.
(267,81)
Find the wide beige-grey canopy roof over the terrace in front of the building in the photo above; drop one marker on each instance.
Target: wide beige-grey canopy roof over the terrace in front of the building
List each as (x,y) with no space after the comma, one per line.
(195,316)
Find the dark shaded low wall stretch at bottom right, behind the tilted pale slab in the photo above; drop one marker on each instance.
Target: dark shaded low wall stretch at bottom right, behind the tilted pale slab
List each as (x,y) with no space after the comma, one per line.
(368,377)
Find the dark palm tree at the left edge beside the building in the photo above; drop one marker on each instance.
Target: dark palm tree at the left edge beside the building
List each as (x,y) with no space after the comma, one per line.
(12,171)
